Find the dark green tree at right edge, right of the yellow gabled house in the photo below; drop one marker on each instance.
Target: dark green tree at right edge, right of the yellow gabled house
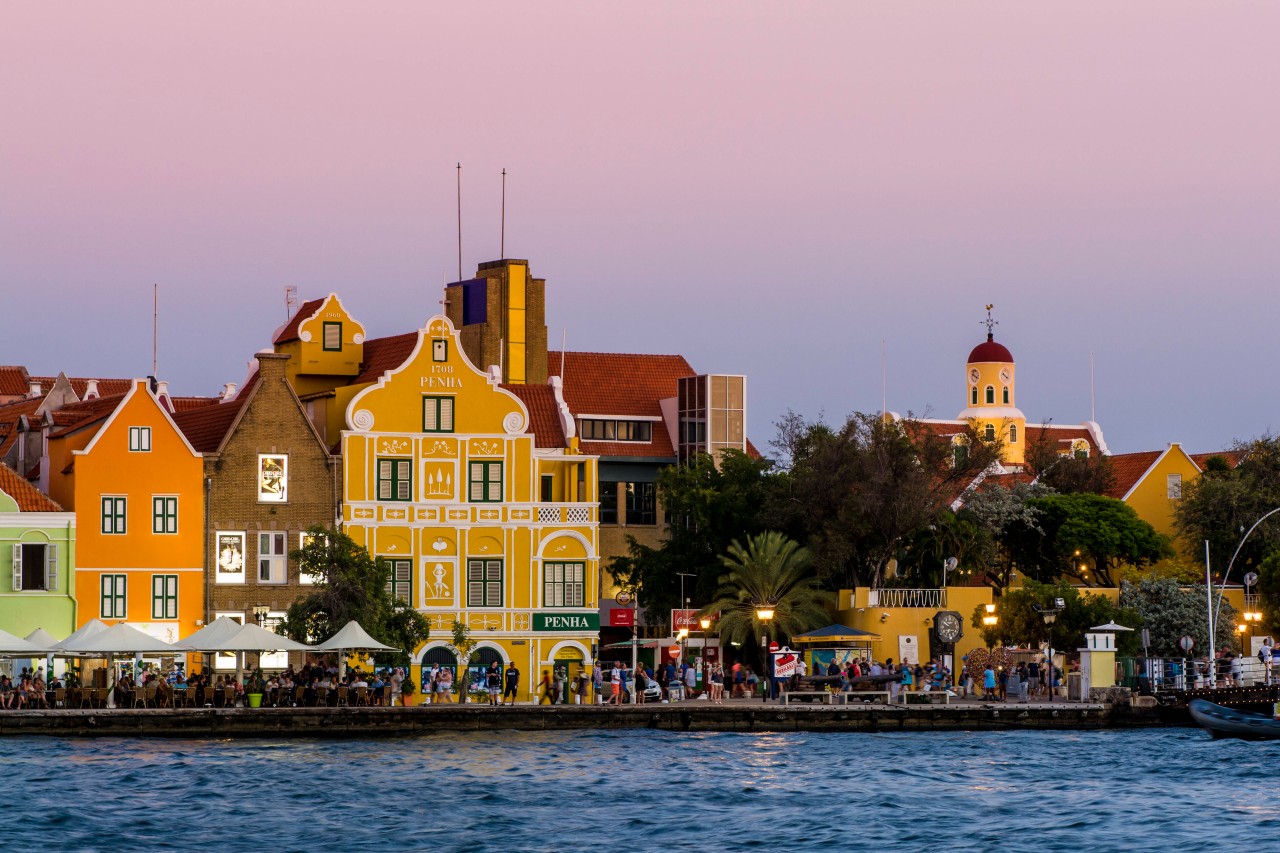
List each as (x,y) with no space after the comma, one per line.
(1224,503)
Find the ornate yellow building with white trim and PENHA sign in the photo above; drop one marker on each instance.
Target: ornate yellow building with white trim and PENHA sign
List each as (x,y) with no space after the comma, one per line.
(474,492)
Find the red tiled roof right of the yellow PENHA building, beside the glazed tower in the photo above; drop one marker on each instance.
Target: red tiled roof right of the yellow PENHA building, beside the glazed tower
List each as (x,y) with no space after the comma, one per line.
(618,385)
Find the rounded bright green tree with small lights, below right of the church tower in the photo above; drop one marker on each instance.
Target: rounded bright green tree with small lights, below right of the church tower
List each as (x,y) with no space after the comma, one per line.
(1086,537)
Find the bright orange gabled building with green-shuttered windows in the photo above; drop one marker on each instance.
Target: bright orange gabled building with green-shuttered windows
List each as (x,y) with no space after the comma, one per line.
(138,491)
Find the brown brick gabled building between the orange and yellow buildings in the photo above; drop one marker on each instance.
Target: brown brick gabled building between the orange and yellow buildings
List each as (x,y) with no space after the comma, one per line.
(268,478)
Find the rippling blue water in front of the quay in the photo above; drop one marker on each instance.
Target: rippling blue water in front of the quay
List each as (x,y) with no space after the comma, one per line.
(651,791)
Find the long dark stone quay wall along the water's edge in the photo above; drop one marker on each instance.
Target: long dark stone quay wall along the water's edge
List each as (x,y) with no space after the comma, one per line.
(374,723)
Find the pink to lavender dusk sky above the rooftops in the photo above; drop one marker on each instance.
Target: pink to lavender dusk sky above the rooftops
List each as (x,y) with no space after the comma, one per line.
(785,191)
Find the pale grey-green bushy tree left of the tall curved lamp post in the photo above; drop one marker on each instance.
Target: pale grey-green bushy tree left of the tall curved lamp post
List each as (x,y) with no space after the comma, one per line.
(1171,610)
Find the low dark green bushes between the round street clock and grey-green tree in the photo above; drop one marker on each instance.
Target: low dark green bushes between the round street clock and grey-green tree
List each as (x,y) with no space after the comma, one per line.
(1020,623)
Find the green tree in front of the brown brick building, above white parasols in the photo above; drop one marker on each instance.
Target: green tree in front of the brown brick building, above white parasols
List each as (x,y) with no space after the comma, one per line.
(350,585)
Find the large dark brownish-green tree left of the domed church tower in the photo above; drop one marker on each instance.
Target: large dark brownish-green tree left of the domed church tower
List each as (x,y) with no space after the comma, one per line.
(862,491)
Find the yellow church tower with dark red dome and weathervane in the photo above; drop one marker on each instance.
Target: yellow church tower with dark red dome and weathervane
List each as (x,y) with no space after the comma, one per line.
(993,407)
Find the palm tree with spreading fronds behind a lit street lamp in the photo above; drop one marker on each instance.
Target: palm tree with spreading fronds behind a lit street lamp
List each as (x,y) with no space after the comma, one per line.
(771,571)
